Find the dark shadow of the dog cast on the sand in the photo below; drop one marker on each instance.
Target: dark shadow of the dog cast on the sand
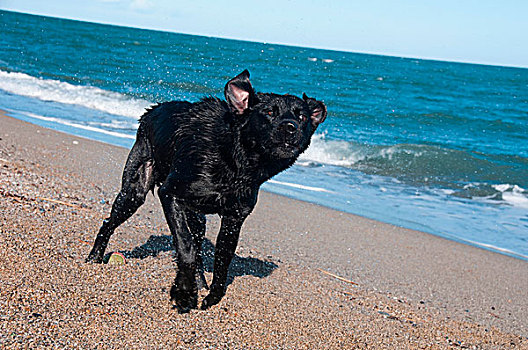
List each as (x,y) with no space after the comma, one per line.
(240,266)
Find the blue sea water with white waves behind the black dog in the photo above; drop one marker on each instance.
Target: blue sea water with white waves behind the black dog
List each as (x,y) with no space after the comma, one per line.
(435,146)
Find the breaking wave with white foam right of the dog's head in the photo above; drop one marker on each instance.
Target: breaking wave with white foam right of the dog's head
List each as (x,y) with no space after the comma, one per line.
(458,173)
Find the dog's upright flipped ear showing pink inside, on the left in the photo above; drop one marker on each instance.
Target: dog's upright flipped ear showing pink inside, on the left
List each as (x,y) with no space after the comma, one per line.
(239,93)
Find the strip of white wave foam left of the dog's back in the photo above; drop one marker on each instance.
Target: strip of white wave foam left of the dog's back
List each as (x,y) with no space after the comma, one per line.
(82,95)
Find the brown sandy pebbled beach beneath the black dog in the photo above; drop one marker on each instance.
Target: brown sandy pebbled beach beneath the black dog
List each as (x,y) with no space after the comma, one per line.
(305,277)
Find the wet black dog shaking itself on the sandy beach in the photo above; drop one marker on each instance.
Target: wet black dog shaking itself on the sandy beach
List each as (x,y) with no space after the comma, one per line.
(210,157)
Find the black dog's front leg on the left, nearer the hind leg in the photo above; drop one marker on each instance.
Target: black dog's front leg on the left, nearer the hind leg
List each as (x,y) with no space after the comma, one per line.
(184,291)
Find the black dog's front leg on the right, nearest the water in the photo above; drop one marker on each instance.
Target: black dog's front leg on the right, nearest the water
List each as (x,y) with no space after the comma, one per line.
(226,244)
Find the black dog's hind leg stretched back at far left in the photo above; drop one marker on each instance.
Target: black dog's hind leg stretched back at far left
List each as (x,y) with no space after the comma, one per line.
(137,181)
